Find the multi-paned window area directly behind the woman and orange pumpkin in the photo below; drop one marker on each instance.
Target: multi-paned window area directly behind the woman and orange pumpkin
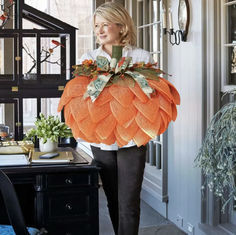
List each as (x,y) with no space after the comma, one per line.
(150,38)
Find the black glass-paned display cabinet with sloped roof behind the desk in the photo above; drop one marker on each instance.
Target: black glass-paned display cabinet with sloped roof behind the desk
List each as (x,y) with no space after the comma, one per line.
(20,78)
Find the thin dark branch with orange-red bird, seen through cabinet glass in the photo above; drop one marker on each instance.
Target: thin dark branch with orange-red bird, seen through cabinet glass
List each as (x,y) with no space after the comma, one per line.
(45,54)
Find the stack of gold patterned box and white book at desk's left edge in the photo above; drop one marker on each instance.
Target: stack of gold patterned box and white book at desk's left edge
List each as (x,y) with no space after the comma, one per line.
(15,152)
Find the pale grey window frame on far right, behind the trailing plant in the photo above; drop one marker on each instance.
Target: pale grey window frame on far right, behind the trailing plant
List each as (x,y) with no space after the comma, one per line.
(214,84)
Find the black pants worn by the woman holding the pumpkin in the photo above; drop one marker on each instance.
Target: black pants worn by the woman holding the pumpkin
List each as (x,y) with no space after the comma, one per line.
(122,175)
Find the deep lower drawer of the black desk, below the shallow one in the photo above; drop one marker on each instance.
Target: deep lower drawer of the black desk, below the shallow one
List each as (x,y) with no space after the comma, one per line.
(66,205)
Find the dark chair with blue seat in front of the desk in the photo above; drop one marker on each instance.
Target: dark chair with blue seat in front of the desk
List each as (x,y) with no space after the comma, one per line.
(14,212)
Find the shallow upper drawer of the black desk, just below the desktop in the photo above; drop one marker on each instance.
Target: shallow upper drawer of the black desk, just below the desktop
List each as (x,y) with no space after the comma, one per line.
(68,180)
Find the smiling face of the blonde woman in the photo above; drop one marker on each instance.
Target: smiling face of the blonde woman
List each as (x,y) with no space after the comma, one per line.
(107,33)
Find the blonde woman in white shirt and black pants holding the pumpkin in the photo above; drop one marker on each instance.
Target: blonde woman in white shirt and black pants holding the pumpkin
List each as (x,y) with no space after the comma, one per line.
(121,168)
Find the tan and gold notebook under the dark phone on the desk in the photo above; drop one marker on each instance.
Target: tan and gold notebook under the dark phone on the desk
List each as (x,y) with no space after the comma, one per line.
(63,157)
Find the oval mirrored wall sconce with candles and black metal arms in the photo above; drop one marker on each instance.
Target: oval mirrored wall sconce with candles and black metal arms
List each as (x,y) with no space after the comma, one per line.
(175,37)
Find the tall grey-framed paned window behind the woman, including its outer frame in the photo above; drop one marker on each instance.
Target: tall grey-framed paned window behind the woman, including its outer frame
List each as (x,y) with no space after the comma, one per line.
(159,193)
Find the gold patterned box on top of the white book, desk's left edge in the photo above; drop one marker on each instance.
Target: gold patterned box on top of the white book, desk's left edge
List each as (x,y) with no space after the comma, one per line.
(16,147)
